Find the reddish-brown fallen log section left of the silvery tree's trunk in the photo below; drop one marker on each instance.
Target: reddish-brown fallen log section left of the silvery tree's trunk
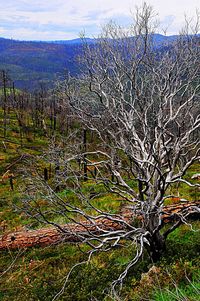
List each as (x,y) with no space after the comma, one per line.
(70,232)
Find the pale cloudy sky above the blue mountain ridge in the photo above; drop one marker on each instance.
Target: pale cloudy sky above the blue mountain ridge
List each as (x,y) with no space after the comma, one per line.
(66,19)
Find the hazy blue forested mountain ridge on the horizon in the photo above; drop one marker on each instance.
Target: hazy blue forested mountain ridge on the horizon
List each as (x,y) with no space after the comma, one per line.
(30,62)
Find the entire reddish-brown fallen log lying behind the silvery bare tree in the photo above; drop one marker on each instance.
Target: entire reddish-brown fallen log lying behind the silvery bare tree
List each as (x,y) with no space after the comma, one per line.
(72,232)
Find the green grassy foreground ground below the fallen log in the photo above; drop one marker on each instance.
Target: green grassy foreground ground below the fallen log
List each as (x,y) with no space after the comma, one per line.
(38,274)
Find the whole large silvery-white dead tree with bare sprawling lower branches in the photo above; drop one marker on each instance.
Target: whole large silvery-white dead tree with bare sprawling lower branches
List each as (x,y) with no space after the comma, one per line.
(142,103)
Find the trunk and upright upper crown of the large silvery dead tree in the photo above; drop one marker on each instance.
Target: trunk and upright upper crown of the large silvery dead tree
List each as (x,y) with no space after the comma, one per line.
(143,103)
